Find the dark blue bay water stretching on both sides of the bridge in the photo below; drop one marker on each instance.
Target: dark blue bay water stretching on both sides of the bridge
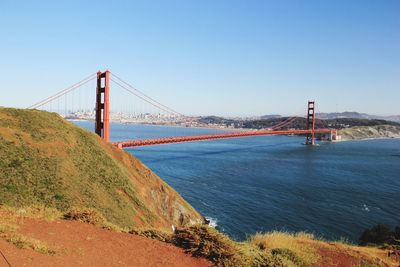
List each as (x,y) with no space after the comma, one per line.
(253,184)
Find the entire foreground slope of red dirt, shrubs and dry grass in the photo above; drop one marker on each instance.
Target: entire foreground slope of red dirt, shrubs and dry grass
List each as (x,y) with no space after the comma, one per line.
(39,237)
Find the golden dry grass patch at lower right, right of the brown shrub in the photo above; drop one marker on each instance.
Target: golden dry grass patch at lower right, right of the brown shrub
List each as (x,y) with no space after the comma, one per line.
(304,249)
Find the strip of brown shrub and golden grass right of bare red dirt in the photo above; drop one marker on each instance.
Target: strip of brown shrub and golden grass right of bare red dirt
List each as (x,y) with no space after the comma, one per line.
(269,249)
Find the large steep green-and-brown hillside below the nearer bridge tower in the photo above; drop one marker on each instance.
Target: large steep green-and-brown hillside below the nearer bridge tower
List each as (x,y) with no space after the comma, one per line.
(48,161)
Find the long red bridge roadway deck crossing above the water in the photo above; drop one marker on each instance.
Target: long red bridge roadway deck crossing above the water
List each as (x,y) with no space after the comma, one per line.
(181,139)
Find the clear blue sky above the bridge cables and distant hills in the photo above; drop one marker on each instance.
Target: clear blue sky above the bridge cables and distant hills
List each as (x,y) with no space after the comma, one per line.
(209,57)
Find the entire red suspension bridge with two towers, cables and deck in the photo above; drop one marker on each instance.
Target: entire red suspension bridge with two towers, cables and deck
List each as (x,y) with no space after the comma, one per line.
(102,113)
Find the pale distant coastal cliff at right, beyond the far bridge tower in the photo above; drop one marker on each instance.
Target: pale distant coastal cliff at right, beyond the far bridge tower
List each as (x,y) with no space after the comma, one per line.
(370,132)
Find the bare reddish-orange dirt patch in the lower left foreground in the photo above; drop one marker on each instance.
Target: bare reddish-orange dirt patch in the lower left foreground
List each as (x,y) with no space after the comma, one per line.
(80,244)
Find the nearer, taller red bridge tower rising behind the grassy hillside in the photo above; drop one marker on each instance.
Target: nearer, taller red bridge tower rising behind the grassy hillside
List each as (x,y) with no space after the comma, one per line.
(102,124)
